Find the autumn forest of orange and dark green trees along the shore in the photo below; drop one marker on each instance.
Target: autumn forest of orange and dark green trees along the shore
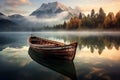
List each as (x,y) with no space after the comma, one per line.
(93,21)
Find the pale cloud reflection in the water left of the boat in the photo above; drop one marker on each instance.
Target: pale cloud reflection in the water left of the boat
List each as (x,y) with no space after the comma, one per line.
(12,56)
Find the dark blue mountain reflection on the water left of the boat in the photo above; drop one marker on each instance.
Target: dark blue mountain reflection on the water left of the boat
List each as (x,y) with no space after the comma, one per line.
(13,39)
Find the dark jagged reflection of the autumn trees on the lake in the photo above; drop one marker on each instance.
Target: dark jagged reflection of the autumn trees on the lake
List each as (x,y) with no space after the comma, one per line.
(92,42)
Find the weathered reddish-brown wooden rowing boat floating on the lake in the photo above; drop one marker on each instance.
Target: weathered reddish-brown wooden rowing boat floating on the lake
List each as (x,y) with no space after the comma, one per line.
(52,49)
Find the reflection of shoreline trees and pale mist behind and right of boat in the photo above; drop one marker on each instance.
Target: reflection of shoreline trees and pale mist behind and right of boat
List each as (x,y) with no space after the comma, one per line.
(94,41)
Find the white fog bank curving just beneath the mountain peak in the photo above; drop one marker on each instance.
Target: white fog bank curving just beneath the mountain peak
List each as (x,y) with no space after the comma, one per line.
(56,19)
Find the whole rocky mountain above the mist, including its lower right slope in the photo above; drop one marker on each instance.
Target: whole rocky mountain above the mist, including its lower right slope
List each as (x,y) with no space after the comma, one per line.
(53,9)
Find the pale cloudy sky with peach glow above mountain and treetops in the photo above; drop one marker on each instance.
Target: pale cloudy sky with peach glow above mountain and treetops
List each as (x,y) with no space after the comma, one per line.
(26,7)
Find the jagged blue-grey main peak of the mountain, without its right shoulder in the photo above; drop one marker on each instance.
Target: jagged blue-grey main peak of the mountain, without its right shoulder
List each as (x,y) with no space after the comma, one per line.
(49,9)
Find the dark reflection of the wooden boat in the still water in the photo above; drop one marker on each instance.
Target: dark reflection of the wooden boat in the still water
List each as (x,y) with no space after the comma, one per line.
(64,67)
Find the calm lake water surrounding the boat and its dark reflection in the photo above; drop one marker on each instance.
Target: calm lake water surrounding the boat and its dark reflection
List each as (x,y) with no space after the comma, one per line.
(97,56)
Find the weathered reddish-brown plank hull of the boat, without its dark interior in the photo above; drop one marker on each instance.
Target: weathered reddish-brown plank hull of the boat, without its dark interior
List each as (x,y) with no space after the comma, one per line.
(60,51)
